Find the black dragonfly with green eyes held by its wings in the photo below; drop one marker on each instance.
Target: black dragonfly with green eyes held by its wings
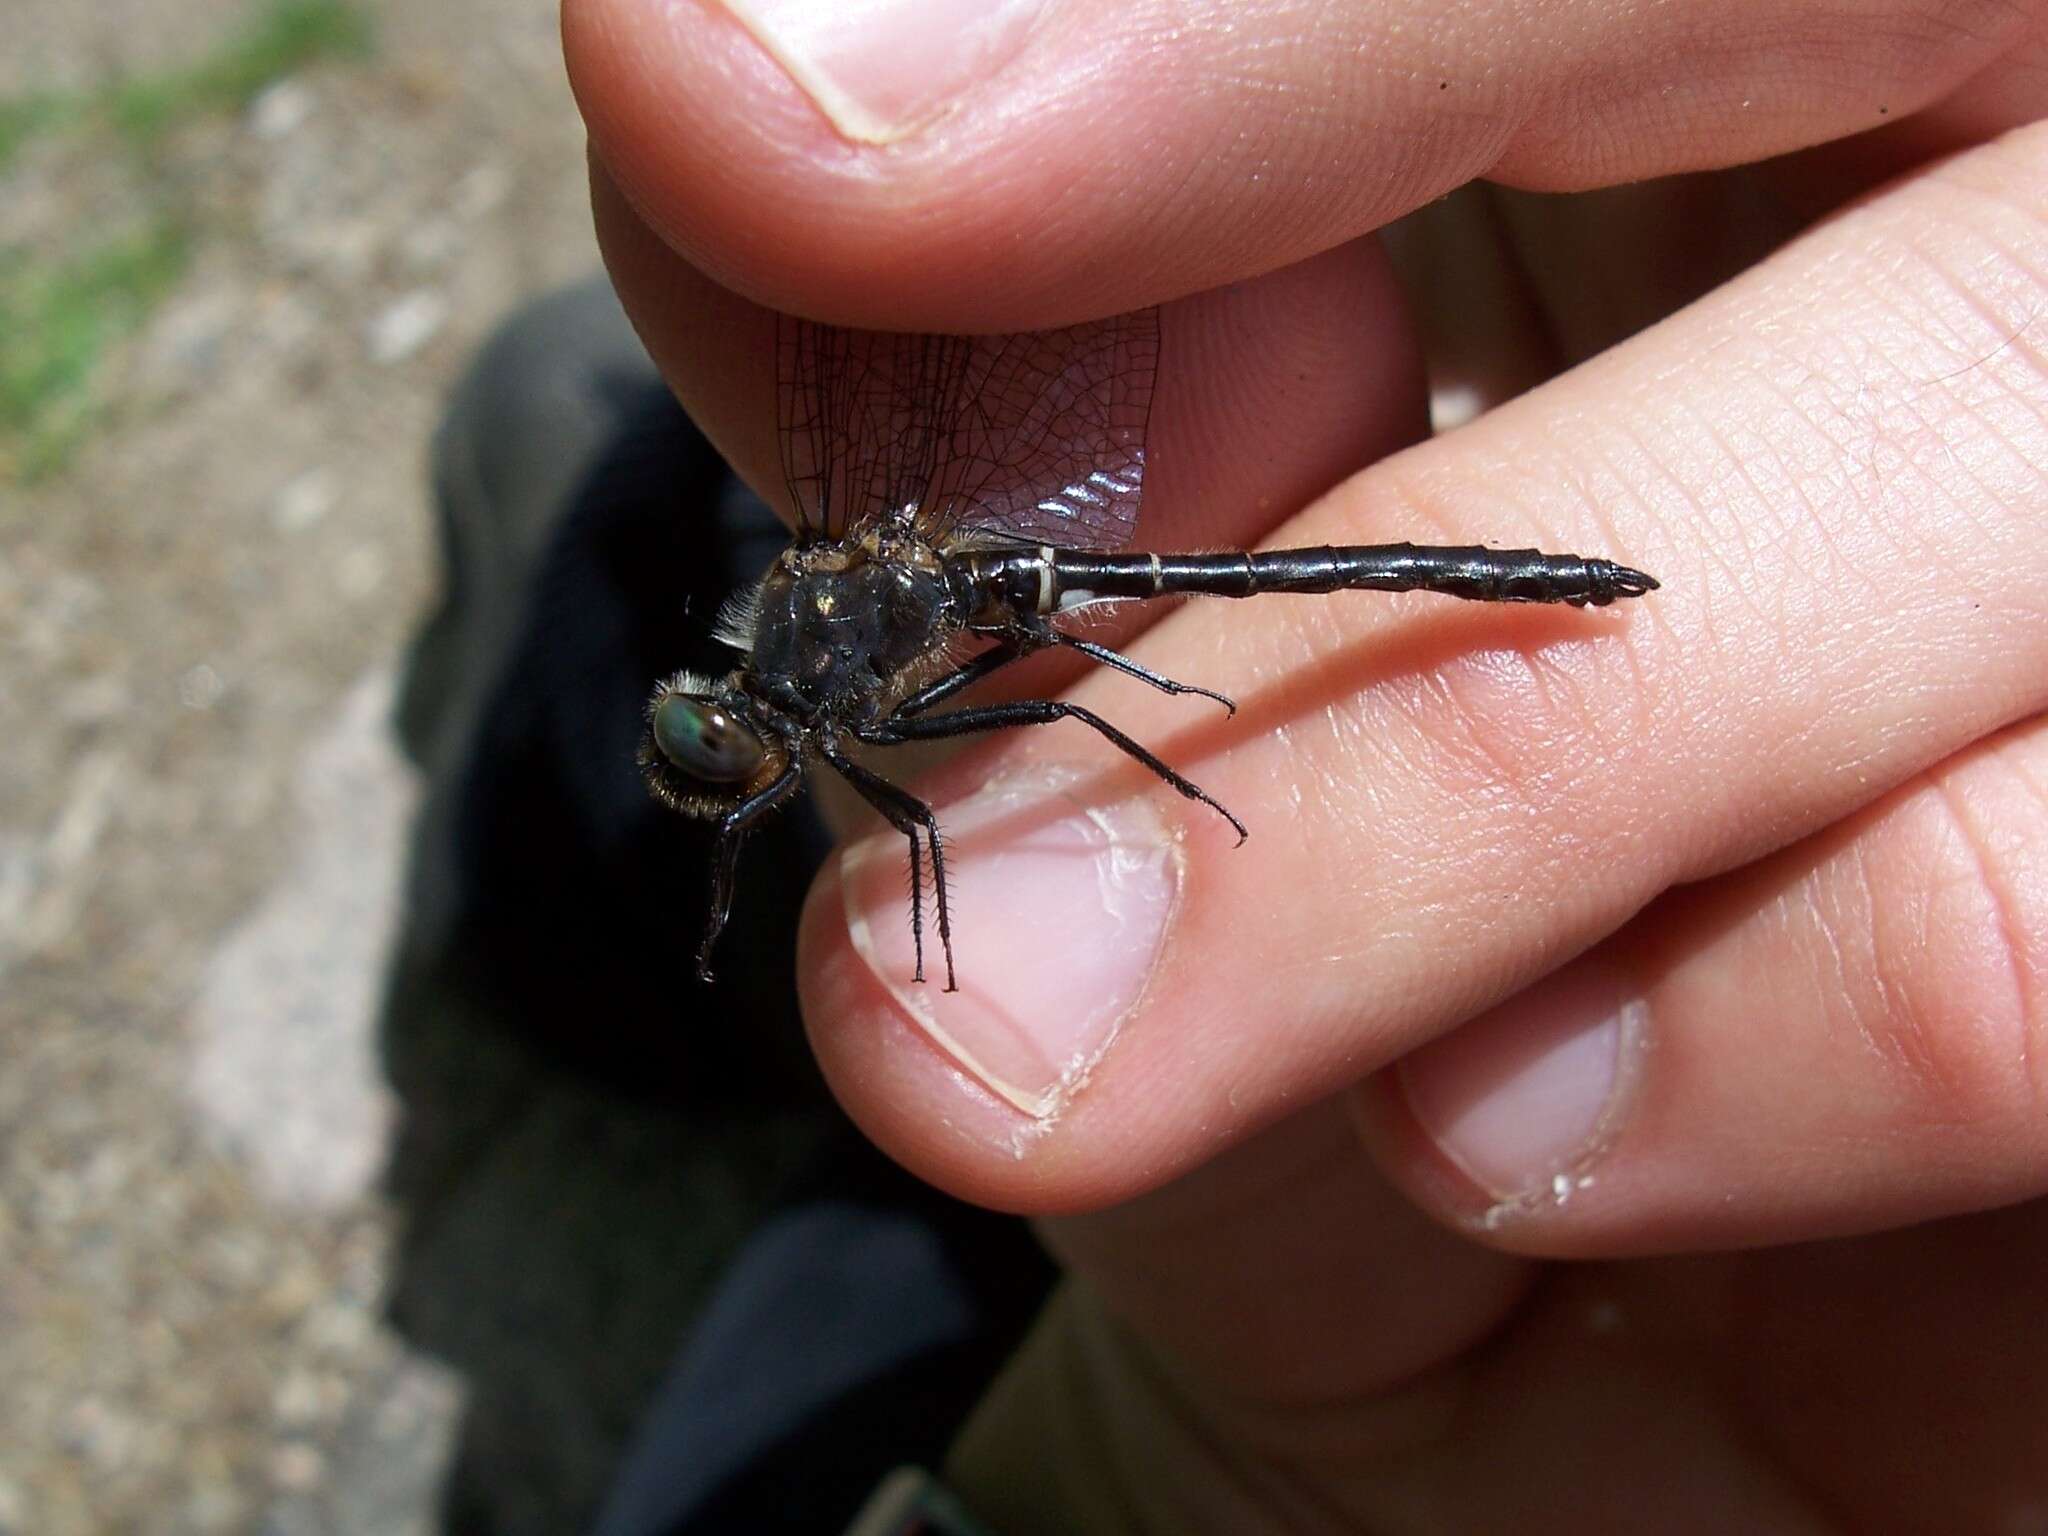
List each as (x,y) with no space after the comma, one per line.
(955,501)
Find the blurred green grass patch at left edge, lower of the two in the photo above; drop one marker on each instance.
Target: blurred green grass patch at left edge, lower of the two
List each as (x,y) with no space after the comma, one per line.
(56,325)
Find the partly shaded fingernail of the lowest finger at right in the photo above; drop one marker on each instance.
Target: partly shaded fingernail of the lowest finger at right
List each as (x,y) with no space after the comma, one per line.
(1529,1095)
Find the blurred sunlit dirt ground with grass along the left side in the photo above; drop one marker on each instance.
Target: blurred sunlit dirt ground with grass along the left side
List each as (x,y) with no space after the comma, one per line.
(245,251)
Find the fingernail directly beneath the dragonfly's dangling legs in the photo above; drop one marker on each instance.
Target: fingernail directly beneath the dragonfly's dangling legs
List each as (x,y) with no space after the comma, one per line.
(1060,912)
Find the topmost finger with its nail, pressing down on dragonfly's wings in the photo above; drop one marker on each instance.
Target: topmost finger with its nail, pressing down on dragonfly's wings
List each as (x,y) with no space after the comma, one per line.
(1009,165)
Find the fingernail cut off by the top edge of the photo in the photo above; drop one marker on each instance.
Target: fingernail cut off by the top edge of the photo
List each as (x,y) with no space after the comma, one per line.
(886,69)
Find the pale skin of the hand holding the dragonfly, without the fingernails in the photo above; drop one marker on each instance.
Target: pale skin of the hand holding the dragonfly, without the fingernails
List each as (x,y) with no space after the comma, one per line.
(1795,804)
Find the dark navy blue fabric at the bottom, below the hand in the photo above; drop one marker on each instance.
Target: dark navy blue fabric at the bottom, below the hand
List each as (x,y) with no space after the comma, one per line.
(849,1338)
